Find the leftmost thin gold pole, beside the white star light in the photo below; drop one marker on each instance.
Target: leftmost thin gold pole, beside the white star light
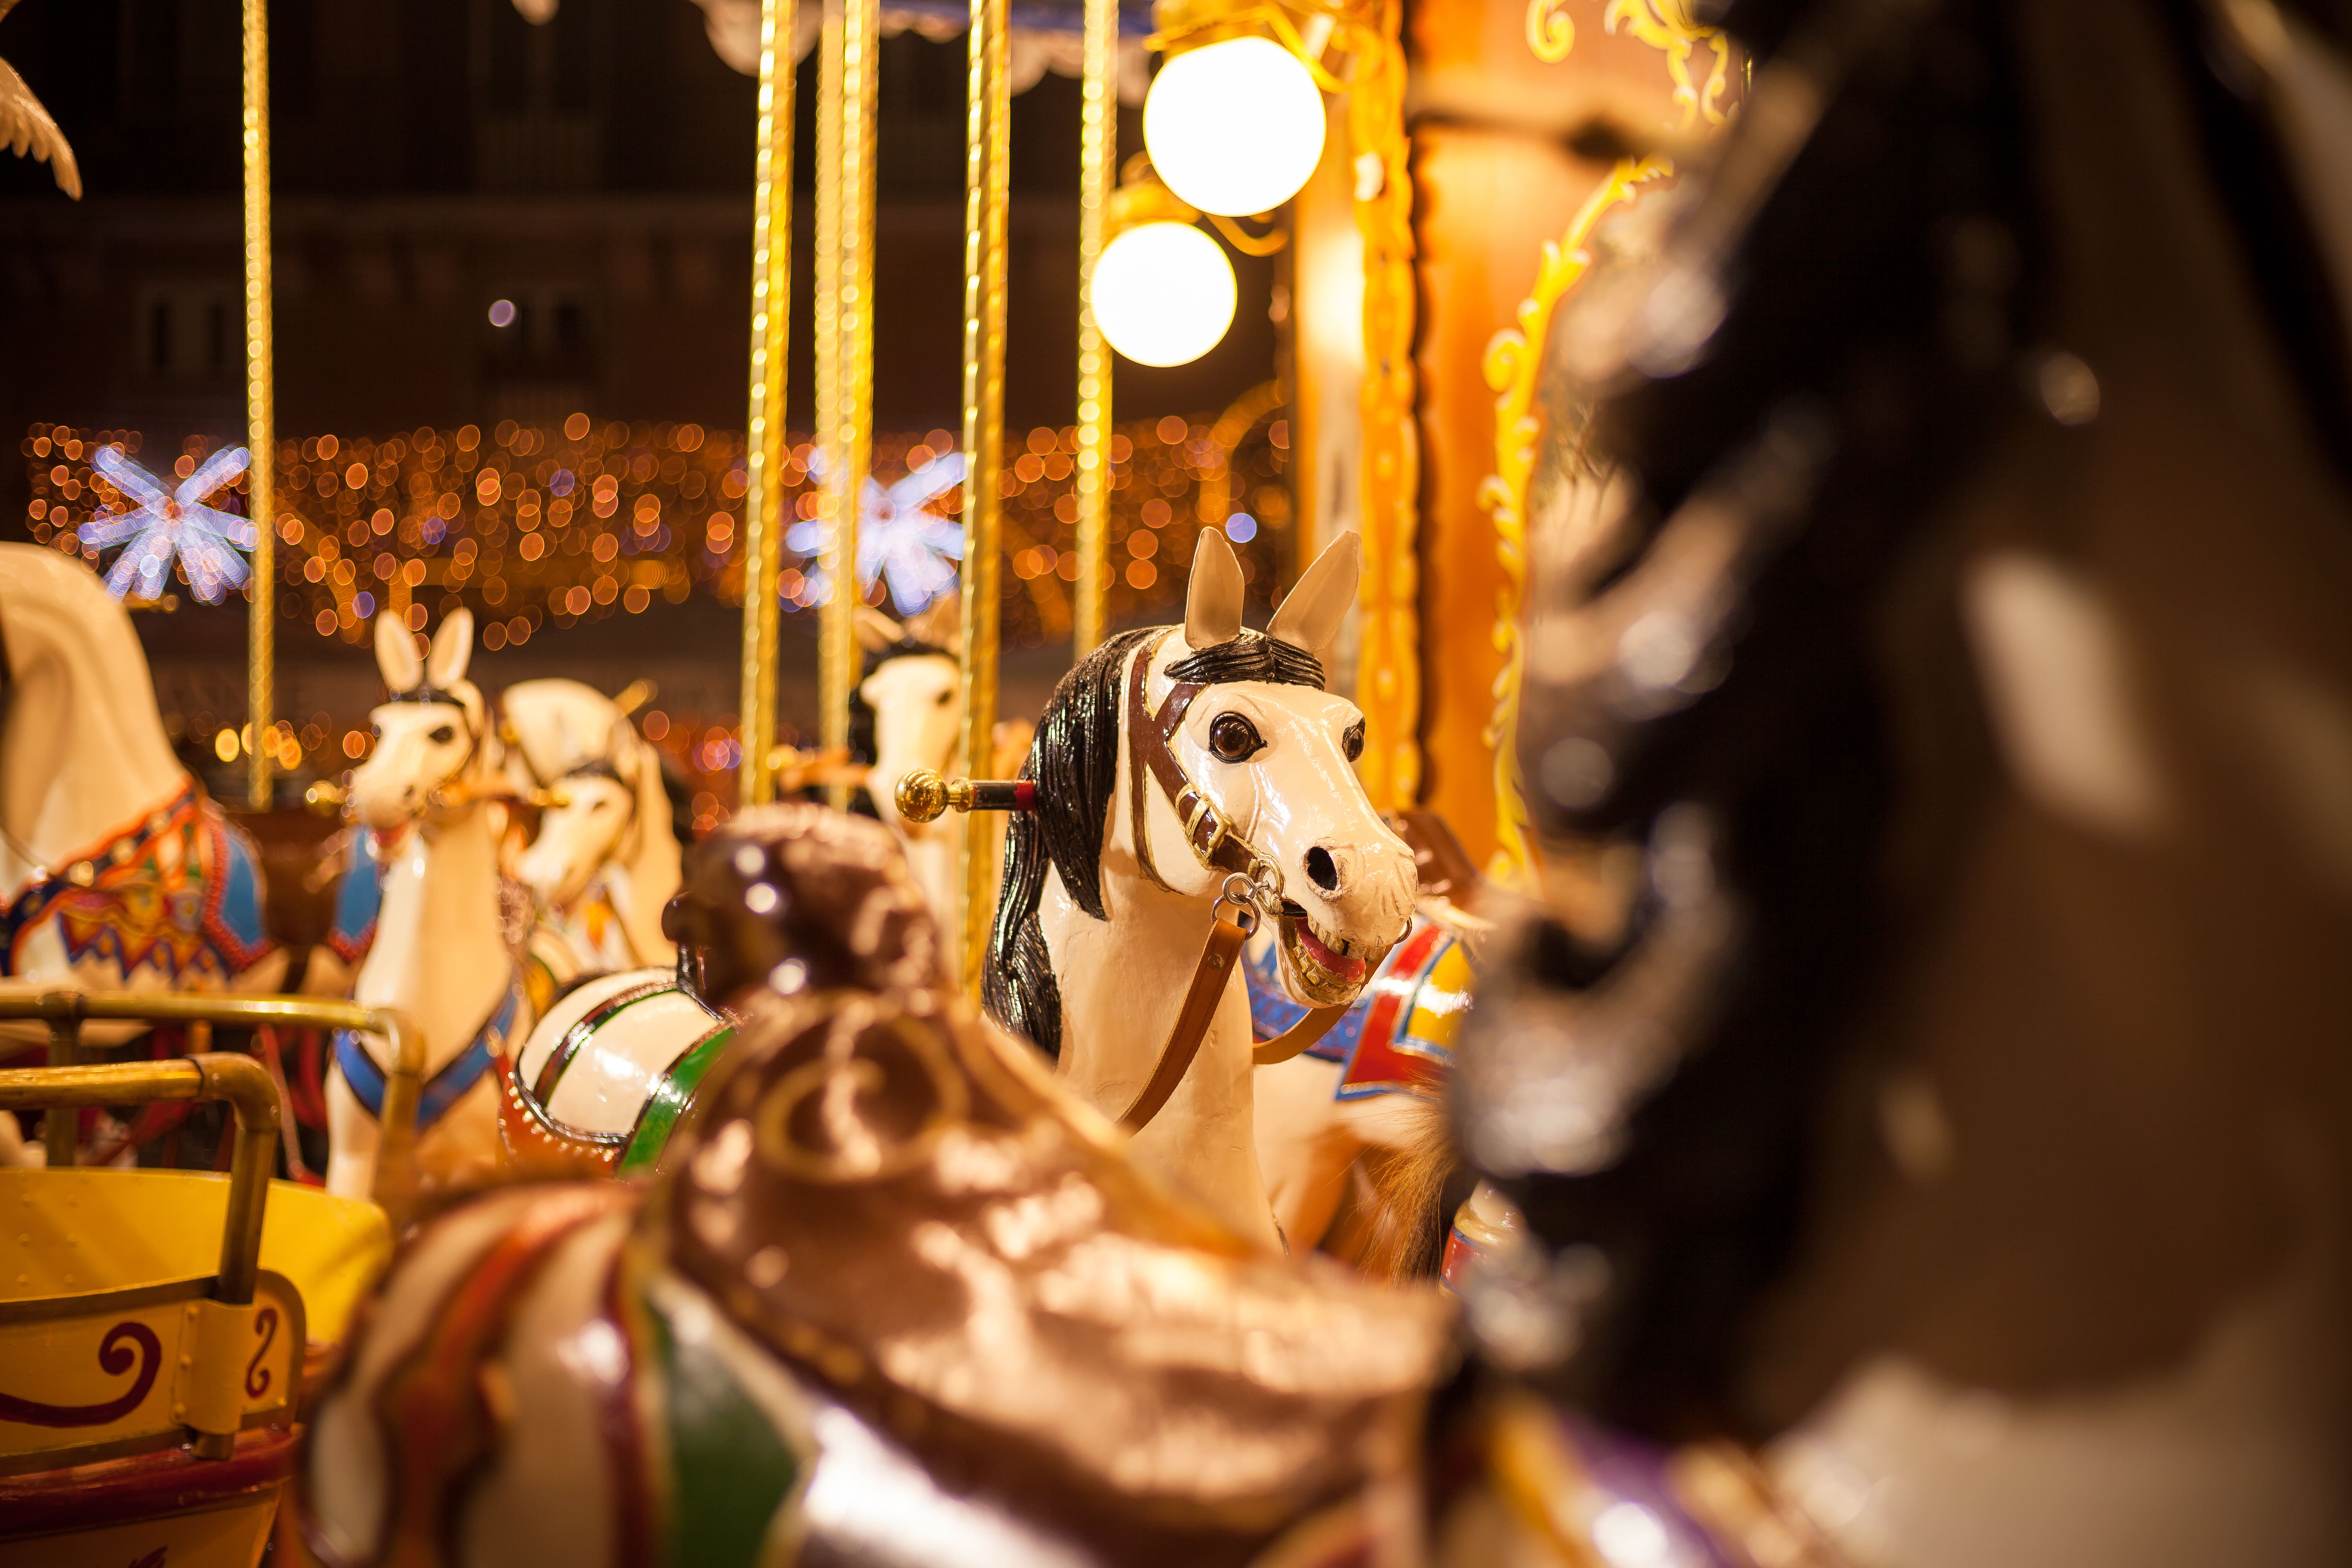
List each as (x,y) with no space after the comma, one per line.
(260,406)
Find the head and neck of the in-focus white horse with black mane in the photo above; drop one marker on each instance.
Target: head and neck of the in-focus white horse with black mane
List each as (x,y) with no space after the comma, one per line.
(1182,772)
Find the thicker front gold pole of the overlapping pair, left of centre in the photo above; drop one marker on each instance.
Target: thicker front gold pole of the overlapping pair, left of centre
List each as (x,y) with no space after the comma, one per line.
(846,286)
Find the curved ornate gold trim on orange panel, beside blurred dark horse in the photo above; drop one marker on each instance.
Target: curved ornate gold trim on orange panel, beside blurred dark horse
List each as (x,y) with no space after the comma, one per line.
(1514,366)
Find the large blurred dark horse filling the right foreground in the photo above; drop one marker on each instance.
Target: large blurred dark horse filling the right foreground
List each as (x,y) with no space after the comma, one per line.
(1942,575)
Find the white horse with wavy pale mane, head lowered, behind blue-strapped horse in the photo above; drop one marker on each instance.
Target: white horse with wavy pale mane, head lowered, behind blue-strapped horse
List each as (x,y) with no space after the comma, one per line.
(606,857)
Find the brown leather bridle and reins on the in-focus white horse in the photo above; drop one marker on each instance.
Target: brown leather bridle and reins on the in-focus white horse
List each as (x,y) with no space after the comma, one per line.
(1252,887)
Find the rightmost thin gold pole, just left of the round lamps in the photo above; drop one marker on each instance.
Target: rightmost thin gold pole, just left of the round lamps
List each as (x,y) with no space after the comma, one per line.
(1097,166)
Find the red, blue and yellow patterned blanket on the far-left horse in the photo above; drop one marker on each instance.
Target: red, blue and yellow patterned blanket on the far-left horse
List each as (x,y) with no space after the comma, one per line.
(173,899)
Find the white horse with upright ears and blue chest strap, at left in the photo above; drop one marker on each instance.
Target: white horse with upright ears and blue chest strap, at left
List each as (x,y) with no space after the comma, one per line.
(448,937)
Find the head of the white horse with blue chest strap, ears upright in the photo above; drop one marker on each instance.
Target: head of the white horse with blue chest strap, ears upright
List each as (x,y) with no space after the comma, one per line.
(429,732)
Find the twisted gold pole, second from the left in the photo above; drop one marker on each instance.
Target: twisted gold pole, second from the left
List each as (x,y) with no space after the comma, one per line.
(763,436)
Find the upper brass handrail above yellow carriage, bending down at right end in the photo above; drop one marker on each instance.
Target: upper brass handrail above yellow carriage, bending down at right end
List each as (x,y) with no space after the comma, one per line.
(396,1151)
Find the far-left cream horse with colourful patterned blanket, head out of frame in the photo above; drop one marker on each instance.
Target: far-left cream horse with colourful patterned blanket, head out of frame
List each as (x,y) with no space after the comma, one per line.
(116,871)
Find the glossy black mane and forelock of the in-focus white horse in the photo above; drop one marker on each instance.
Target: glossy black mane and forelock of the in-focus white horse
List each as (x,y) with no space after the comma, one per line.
(1076,765)
